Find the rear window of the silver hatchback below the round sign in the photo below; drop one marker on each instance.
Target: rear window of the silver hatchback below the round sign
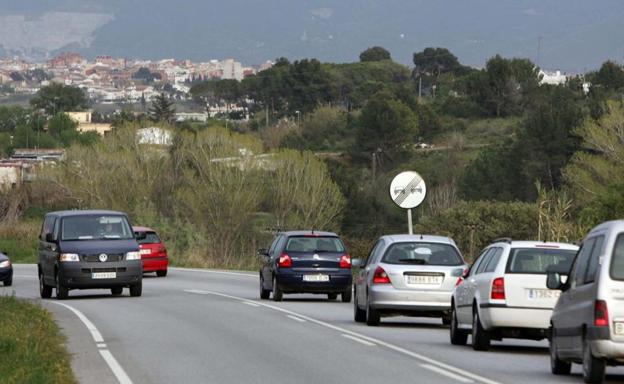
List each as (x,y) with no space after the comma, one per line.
(422,253)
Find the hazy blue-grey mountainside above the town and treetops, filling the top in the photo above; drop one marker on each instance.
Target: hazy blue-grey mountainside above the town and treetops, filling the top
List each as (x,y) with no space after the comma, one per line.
(575,36)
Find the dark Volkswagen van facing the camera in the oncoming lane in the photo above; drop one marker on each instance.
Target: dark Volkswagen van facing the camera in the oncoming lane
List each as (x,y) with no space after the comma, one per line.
(88,249)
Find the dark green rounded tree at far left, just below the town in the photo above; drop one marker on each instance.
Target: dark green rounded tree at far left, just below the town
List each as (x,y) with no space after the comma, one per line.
(57,98)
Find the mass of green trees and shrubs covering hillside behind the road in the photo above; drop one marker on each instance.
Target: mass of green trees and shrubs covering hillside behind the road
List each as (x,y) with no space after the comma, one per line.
(502,155)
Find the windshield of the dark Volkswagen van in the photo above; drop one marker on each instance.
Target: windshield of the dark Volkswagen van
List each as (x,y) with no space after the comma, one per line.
(95,227)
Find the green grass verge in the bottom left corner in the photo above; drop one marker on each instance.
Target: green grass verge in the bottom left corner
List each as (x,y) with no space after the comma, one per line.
(31,345)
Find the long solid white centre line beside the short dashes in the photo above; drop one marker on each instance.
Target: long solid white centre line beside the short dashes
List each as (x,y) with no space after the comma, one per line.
(393,347)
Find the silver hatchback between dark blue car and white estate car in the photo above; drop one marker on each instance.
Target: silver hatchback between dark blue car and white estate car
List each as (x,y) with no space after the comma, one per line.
(407,275)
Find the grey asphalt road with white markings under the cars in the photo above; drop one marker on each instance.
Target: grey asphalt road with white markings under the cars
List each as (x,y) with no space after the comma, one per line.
(197,326)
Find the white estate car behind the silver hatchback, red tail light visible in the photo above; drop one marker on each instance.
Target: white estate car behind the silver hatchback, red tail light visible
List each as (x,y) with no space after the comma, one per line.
(504,294)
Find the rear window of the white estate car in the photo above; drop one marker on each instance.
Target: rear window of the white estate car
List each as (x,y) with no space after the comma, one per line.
(539,260)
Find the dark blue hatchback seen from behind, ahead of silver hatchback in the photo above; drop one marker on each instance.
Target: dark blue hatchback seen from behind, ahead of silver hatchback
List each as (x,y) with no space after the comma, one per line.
(306,262)
